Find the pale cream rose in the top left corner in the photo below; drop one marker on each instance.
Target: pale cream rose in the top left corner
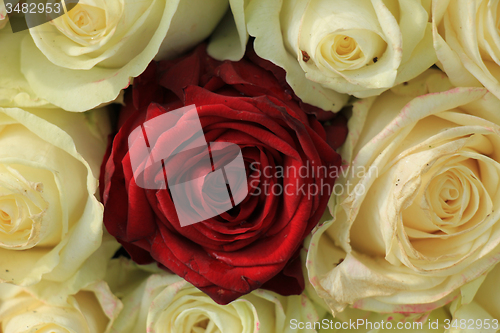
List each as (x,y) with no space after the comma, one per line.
(86,56)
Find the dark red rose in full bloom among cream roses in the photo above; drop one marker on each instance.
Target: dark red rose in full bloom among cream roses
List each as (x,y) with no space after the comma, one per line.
(256,243)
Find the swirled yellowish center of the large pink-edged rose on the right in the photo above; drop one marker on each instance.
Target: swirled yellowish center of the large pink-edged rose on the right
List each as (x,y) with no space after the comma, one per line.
(457,196)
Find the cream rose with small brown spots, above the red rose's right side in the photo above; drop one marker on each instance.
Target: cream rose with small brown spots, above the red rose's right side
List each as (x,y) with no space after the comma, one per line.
(358,47)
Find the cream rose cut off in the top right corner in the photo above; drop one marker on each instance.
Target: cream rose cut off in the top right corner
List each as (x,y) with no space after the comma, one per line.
(467,42)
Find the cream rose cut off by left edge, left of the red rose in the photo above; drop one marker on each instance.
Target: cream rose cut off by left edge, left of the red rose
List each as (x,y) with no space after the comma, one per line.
(50,220)
